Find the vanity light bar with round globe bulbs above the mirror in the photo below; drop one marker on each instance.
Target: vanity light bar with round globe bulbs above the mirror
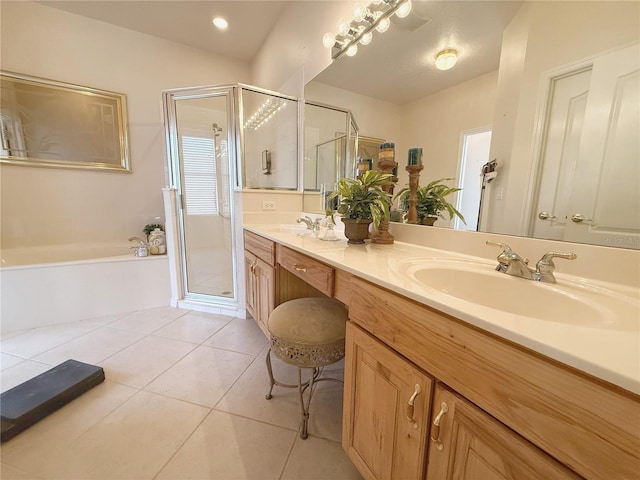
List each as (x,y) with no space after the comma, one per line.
(375,16)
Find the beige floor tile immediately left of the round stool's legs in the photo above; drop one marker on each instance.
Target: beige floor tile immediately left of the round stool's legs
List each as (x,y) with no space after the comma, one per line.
(203,376)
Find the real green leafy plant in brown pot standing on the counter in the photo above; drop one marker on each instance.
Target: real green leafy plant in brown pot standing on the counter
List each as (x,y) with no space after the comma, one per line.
(362,202)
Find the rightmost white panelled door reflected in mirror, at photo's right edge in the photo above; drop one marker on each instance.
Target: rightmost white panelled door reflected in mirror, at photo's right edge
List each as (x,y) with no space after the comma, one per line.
(604,207)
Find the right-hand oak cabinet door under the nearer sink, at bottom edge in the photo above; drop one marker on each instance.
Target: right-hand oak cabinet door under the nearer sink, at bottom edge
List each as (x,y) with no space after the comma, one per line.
(466,443)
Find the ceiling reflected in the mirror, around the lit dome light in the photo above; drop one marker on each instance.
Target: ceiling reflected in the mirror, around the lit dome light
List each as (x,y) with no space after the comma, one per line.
(399,65)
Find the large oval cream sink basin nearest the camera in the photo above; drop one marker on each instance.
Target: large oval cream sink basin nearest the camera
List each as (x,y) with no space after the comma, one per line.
(565,302)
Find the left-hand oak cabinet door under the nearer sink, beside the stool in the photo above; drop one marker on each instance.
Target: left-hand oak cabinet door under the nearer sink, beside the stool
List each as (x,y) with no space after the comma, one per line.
(383,434)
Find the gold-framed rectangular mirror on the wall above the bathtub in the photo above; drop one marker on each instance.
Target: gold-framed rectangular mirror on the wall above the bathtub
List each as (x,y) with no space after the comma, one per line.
(46,123)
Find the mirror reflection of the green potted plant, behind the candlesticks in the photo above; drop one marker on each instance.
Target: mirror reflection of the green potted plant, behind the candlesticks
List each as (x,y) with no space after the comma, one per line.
(431,201)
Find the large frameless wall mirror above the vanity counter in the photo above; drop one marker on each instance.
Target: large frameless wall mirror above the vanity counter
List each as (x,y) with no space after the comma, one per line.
(556,83)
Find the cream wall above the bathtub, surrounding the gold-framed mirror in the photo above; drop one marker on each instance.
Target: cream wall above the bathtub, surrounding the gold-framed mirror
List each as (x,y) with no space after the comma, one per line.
(51,206)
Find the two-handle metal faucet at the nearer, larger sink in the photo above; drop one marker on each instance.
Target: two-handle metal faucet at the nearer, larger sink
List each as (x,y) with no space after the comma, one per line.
(511,263)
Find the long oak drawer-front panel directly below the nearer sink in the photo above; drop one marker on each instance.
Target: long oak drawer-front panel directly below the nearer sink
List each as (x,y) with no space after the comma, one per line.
(584,423)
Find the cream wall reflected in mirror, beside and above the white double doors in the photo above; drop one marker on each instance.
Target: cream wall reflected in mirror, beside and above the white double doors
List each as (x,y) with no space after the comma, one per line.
(542,36)
